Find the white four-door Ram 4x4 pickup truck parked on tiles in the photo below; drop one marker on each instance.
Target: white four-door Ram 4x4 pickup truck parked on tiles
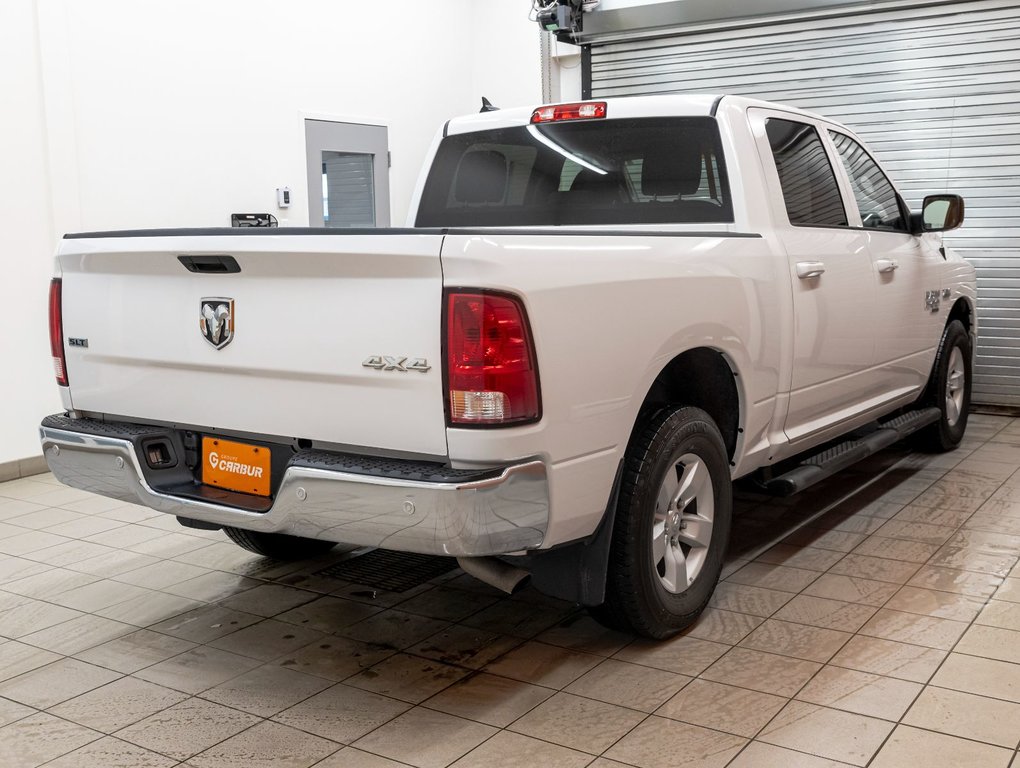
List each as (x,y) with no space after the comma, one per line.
(599,317)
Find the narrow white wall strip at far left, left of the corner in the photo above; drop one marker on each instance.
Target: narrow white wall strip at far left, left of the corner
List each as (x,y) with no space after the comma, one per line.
(28,391)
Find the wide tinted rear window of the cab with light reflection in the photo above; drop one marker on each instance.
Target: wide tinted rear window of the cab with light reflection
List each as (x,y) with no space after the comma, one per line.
(607,172)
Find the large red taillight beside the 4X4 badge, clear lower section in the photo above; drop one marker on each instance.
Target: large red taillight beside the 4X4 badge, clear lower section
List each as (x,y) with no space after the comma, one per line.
(492,375)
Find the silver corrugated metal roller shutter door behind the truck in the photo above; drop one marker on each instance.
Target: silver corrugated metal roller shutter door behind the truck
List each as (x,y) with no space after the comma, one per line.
(936,92)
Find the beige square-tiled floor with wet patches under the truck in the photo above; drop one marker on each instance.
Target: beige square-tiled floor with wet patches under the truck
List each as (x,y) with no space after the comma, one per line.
(872,622)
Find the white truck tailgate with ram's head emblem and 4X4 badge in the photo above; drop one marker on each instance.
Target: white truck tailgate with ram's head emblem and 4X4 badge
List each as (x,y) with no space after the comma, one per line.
(309,312)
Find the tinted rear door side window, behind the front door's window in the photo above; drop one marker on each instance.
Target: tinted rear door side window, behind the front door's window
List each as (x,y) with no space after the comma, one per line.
(809,186)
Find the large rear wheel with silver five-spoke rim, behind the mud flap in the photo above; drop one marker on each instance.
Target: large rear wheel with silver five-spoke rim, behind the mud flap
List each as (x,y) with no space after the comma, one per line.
(646,592)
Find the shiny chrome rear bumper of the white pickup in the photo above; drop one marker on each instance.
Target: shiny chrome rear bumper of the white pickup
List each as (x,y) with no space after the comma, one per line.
(506,513)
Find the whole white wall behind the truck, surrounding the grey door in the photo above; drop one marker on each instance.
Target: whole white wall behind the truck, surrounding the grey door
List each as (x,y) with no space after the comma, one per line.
(133,115)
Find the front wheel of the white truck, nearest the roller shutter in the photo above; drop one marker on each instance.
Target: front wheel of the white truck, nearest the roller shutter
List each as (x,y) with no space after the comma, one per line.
(948,393)
